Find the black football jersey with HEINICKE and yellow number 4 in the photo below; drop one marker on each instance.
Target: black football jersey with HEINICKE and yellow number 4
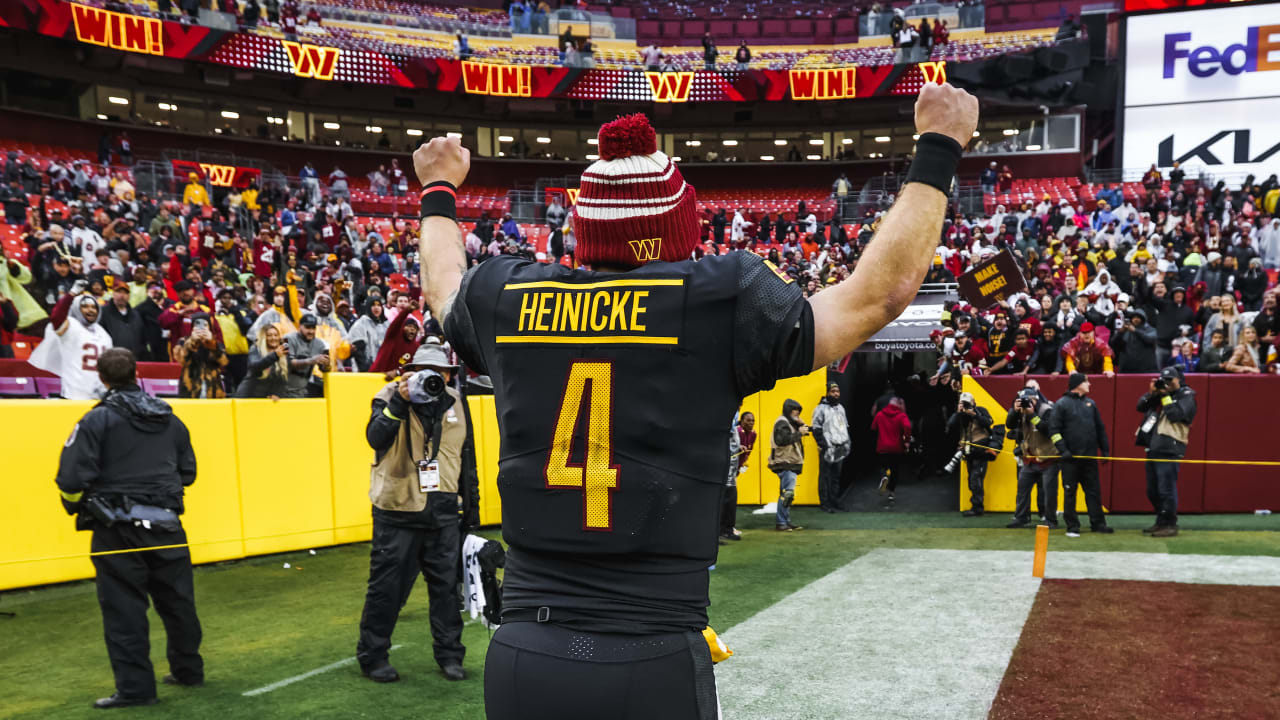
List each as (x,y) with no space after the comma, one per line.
(615,397)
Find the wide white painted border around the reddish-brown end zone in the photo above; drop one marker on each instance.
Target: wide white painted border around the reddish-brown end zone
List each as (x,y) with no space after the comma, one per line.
(920,634)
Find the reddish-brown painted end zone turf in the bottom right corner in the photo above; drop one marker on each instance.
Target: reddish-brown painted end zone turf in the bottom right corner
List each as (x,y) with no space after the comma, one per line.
(1123,649)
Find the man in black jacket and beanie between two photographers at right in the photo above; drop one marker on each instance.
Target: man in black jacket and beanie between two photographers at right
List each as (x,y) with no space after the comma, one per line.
(1077,429)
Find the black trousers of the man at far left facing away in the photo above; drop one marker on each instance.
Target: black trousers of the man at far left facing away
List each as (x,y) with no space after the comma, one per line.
(125,584)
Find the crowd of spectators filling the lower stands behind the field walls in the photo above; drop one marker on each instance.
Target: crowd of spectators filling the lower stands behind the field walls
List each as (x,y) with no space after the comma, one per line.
(262,291)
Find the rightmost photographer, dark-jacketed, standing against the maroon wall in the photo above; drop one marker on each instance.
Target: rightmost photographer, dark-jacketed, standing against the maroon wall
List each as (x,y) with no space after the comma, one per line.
(1171,408)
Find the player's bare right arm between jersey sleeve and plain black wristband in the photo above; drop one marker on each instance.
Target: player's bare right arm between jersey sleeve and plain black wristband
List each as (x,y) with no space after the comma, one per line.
(888,276)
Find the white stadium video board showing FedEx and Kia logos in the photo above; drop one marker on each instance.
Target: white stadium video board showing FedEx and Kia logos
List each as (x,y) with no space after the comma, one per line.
(1203,88)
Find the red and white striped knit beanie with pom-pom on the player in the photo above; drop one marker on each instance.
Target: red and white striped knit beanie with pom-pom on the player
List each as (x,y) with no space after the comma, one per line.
(634,206)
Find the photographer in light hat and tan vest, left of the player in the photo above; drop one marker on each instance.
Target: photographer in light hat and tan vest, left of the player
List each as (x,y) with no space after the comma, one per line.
(423,479)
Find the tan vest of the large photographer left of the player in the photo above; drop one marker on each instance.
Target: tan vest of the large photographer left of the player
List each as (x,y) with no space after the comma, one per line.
(394,481)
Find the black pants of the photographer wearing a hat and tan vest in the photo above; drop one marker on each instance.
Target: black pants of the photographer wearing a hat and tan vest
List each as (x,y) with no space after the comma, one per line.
(397,557)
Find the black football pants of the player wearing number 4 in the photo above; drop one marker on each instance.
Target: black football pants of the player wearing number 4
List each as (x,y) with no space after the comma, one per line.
(543,672)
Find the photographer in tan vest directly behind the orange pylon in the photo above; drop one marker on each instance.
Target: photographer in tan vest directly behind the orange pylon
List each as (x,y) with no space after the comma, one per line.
(1028,427)
